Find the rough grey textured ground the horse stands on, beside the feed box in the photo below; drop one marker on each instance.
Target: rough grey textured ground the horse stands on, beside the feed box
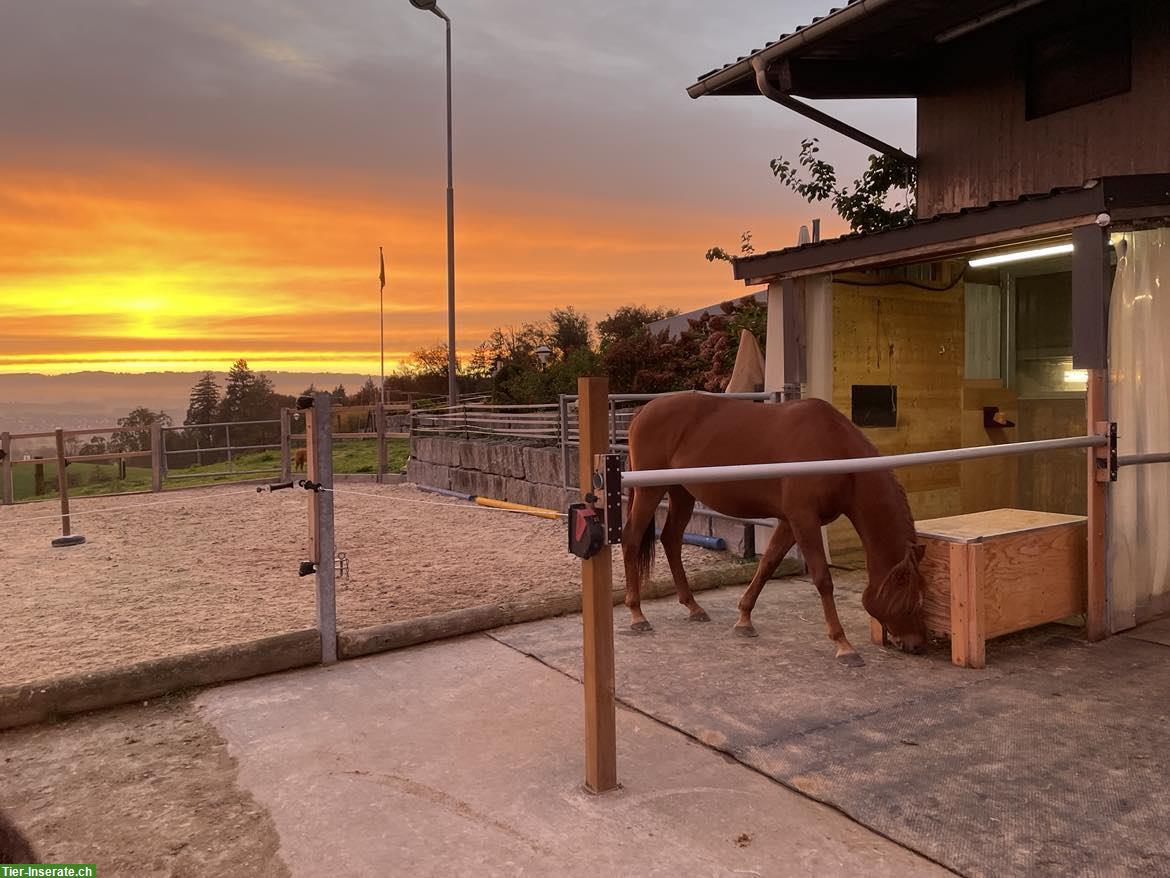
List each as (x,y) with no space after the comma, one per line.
(1051,762)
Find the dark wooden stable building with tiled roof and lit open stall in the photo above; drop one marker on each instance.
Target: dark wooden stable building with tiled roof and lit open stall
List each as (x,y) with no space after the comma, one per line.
(1030,298)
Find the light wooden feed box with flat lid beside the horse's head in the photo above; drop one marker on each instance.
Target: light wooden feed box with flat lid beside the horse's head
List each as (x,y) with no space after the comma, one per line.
(993,573)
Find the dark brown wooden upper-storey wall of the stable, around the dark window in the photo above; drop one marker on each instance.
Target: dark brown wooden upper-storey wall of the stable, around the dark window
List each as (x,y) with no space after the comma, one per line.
(976,147)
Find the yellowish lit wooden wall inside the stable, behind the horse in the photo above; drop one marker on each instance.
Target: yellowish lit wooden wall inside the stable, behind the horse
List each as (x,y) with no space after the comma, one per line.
(912,338)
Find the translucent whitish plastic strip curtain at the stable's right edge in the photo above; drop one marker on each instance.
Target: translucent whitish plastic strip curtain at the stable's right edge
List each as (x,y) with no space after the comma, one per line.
(1139,558)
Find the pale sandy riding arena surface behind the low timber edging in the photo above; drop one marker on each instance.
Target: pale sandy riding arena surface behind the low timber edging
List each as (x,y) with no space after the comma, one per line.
(166,574)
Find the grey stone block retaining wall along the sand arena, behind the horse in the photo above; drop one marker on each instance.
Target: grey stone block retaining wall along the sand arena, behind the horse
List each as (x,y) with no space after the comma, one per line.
(526,474)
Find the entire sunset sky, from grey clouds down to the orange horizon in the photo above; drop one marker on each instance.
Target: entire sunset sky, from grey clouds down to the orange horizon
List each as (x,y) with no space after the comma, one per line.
(188,183)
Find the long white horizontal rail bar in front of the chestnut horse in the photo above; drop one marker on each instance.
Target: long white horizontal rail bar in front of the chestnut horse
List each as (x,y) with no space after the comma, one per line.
(753,472)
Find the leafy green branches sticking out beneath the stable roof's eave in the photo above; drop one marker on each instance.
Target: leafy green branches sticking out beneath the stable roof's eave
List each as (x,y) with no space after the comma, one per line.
(866,207)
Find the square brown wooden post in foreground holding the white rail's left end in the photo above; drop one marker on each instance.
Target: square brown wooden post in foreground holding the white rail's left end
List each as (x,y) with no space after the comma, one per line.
(597,607)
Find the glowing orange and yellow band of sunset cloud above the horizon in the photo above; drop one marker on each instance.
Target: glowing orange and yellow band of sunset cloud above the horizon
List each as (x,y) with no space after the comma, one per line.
(167,267)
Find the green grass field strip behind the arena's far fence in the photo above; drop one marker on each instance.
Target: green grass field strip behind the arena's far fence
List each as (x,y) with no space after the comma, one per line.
(354,456)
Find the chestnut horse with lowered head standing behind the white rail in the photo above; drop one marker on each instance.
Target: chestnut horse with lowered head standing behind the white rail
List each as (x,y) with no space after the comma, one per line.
(692,430)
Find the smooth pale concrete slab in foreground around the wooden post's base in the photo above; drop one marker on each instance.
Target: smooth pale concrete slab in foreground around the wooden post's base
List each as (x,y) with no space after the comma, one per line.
(466,758)
